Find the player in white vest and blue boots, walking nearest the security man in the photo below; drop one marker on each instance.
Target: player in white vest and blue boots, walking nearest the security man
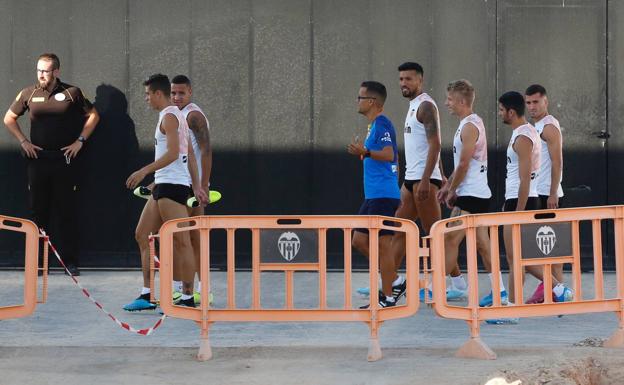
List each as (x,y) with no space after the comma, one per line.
(171,189)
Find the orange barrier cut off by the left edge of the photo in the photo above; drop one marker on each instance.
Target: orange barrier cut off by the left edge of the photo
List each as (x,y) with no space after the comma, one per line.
(31,253)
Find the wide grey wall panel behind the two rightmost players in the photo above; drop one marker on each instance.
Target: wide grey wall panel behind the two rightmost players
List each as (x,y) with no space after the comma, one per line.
(545,42)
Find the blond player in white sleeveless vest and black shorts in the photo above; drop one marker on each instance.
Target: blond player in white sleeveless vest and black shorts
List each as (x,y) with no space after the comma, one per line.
(467,190)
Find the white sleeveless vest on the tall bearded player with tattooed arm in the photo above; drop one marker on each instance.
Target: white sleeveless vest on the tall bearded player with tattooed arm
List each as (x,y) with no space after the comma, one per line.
(416,145)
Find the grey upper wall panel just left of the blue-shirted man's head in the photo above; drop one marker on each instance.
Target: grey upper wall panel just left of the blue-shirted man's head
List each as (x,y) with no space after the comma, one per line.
(341,63)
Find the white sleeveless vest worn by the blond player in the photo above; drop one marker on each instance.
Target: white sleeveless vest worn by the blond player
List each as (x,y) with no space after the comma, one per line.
(475,182)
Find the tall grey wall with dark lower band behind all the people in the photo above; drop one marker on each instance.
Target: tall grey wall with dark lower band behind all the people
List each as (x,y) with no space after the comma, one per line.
(278,80)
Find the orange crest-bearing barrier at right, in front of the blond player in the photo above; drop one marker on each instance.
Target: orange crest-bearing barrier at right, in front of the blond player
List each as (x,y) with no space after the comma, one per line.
(530,228)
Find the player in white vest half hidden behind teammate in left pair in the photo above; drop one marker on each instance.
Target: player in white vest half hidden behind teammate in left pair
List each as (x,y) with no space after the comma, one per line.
(181,95)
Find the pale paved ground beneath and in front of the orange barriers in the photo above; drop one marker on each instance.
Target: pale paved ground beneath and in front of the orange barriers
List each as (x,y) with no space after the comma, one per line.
(68,340)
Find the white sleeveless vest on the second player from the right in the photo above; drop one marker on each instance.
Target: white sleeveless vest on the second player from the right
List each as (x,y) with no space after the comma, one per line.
(512,179)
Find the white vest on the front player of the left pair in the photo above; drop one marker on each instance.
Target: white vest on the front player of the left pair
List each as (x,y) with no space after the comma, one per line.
(177,171)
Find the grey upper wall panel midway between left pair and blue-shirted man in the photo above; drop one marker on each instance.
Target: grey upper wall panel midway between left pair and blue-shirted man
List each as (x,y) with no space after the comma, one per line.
(281,65)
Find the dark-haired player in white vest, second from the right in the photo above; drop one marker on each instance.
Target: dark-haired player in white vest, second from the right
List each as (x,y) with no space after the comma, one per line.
(523,161)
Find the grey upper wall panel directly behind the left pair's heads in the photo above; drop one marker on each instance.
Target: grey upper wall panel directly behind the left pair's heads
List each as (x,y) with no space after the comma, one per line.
(159,43)
